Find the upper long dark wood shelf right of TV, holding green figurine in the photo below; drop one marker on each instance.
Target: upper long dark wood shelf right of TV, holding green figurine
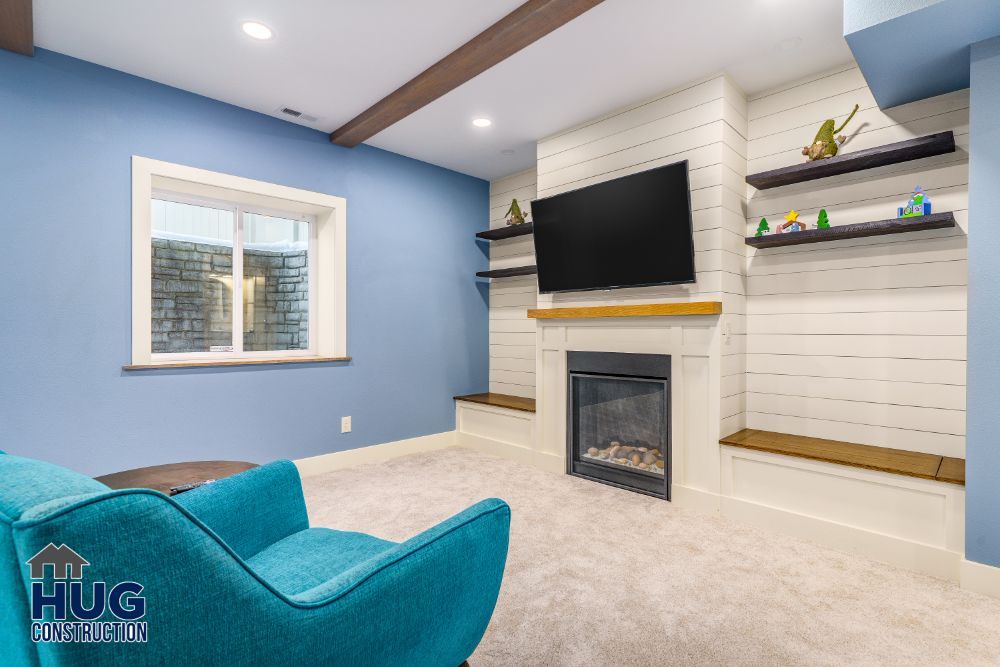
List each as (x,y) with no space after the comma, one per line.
(845,163)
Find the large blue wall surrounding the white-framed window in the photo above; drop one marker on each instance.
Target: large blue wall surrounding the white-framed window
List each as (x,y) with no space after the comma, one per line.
(417,320)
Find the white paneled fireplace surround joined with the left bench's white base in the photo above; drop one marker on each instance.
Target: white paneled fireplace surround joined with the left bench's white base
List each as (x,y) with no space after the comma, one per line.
(695,345)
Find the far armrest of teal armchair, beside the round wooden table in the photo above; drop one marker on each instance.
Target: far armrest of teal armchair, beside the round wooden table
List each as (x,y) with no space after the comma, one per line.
(252,510)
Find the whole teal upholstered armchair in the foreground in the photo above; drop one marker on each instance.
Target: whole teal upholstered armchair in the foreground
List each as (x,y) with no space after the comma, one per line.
(231,573)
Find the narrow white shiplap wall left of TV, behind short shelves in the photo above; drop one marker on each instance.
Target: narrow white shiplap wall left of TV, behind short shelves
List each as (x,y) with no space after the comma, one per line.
(512,334)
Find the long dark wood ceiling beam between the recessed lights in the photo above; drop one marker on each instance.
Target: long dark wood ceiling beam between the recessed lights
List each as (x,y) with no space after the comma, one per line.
(523,26)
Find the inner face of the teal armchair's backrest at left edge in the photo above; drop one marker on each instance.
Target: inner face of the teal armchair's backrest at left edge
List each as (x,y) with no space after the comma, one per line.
(27,482)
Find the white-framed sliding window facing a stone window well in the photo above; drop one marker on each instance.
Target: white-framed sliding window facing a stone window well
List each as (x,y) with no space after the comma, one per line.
(229,270)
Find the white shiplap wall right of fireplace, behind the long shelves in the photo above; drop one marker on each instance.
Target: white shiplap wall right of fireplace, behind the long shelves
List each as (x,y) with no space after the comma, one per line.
(860,340)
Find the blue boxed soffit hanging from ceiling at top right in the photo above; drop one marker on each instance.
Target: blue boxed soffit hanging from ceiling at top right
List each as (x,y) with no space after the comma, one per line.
(918,49)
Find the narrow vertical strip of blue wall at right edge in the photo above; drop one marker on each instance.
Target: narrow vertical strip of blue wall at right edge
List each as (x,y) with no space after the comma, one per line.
(982,507)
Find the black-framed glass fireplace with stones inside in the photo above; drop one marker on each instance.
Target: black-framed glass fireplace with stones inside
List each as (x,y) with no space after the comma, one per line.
(618,429)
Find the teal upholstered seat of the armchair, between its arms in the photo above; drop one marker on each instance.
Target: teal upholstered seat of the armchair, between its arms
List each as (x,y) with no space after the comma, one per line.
(311,557)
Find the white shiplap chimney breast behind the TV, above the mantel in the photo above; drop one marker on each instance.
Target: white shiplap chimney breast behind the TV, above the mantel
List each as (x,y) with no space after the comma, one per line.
(704,122)
